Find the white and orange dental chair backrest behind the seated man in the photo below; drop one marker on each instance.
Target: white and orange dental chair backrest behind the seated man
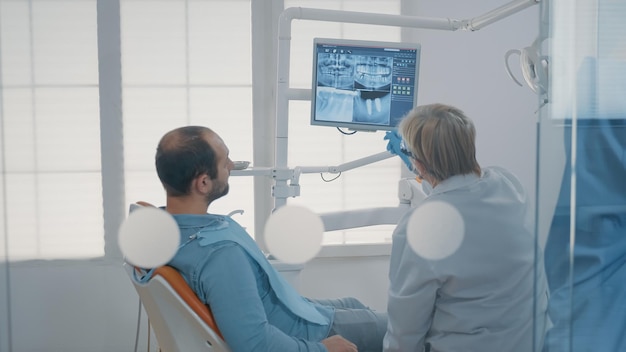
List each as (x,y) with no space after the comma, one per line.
(181,322)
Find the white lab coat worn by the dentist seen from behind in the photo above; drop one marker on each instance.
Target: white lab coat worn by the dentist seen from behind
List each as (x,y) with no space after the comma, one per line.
(480,298)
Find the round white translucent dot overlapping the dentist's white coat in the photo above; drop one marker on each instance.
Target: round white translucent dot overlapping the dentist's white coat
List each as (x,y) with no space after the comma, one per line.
(435,230)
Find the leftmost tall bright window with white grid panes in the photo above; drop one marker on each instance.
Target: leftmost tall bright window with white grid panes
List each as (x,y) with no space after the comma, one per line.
(51,179)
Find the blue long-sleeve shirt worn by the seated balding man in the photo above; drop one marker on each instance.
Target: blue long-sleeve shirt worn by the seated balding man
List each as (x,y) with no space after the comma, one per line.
(246,307)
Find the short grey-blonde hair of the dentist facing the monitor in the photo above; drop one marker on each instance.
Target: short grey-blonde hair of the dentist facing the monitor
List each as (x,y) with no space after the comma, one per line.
(442,138)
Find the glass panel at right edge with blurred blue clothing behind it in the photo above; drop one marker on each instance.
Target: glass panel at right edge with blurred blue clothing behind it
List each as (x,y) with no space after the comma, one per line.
(582,176)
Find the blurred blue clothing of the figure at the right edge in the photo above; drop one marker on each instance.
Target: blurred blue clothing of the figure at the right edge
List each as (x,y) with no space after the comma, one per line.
(587,278)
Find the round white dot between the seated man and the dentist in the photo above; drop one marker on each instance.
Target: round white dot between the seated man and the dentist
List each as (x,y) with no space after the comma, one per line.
(293,234)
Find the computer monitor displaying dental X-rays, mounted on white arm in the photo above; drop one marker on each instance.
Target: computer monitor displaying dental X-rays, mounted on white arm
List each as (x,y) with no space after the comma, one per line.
(363,85)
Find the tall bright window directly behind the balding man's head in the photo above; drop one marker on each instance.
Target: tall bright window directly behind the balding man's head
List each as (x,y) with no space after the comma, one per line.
(186,63)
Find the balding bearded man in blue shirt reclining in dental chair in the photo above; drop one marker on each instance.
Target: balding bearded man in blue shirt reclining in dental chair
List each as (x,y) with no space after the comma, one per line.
(254,307)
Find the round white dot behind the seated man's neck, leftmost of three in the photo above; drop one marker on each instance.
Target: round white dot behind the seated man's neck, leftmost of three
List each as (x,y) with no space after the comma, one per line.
(149,237)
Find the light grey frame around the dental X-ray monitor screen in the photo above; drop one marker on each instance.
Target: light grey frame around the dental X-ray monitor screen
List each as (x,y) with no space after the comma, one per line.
(360,126)
